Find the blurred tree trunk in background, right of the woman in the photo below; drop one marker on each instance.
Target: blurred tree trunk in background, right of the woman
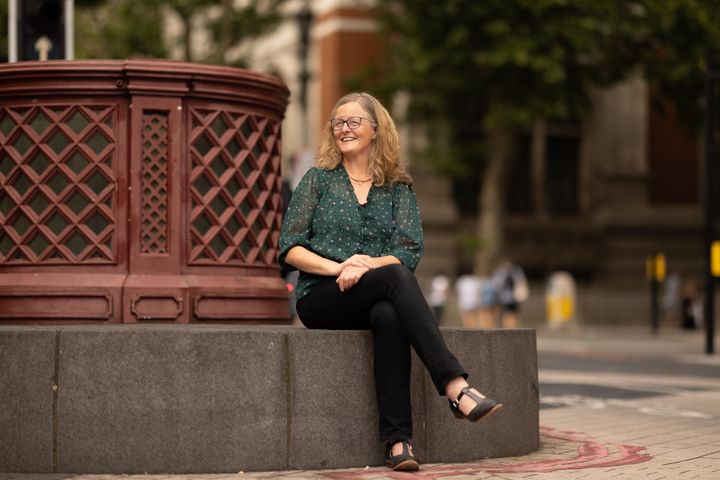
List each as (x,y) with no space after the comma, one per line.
(492,196)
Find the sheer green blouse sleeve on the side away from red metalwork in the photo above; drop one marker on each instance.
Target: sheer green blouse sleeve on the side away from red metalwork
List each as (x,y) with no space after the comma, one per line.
(406,243)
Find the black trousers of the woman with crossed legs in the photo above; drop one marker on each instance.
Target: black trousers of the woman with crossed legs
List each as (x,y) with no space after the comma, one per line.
(388,301)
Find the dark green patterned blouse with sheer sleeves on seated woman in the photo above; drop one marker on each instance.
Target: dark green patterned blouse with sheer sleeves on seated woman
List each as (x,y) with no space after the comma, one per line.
(325,217)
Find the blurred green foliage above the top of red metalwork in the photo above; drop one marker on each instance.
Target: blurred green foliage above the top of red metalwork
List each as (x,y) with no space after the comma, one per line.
(131,28)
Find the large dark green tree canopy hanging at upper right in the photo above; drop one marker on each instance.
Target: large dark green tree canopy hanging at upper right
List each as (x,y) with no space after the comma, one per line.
(473,65)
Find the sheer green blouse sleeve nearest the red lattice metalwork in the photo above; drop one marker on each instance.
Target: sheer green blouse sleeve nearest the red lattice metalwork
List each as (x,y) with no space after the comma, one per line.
(296,227)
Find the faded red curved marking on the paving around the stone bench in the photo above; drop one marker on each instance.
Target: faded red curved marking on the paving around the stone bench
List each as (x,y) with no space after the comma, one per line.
(591,454)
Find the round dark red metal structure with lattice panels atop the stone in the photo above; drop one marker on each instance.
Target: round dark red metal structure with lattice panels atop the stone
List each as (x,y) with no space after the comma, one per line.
(139,190)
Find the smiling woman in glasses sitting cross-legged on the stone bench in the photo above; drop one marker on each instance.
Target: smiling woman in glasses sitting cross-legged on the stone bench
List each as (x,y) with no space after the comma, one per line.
(353,230)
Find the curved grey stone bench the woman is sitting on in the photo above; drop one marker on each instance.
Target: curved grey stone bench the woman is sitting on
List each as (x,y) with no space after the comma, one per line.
(213,399)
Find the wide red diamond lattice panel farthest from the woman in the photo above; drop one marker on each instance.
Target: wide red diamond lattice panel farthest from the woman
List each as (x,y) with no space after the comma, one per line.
(57,184)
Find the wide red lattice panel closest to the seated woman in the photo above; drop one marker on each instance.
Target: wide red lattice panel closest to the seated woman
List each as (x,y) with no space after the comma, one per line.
(234,188)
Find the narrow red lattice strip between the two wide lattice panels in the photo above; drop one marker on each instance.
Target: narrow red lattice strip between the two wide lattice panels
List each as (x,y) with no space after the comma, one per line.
(154,183)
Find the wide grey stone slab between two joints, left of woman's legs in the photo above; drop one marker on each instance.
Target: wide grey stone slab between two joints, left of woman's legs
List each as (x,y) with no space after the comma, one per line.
(172,400)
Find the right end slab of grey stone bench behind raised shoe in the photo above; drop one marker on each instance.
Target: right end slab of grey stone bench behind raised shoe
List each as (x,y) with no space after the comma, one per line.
(501,364)
